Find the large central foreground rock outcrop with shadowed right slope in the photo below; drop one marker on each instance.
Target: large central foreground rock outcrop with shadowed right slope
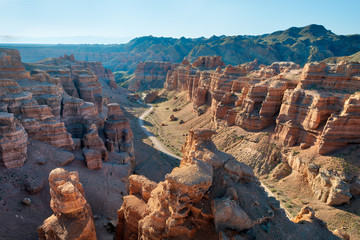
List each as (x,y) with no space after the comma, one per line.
(210,196)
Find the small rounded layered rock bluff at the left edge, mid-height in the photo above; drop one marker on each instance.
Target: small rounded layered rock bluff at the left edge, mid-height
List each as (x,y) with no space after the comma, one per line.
(13,141)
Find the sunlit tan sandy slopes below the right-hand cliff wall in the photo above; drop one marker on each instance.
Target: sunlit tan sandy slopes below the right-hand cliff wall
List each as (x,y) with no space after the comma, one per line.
(292,191)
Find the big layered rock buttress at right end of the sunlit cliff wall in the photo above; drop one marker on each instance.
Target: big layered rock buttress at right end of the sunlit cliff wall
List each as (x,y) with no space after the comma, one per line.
(308,112)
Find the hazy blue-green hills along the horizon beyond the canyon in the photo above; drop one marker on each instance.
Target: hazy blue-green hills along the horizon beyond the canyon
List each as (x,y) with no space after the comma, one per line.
(300,45)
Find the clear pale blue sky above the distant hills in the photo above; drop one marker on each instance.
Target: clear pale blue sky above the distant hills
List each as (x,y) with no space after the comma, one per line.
(118,21)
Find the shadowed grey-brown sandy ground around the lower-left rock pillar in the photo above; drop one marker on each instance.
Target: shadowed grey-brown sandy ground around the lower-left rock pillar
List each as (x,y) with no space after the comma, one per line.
(19,221)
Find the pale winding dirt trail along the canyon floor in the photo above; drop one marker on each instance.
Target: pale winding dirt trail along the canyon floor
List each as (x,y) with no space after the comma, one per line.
(159,146)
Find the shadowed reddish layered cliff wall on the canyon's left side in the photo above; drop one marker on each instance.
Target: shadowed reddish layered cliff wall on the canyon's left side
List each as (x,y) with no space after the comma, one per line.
(59,101)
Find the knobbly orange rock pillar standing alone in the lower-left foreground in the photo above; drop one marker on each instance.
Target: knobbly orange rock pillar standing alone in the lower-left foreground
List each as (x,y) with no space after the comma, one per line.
(72,218)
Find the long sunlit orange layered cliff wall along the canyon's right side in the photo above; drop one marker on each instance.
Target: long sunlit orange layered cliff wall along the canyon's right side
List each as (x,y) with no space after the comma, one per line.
(313,105)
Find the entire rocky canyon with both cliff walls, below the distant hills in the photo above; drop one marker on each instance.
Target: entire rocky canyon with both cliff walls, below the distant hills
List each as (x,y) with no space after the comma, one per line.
(69,122)
